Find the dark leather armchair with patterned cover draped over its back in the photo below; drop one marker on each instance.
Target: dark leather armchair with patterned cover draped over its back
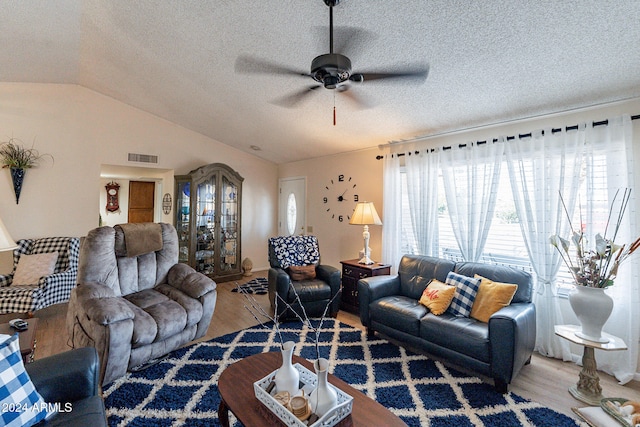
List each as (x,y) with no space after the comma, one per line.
(296,269)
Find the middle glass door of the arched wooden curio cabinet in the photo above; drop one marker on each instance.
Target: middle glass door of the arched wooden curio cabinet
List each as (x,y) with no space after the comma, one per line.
(206,225)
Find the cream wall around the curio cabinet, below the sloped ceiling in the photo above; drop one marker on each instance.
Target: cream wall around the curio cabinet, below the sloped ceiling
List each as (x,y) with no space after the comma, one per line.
(83,130)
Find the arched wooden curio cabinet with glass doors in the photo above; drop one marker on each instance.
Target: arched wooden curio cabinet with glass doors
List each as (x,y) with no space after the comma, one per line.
(208,207)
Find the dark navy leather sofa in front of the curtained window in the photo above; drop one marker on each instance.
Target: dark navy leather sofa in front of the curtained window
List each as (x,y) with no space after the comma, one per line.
(498,349)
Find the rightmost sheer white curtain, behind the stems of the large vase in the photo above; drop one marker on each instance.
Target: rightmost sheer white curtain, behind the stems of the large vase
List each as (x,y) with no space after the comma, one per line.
(613,143)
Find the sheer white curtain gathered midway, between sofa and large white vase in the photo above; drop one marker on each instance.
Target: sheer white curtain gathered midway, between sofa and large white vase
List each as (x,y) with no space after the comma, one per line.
(541,169)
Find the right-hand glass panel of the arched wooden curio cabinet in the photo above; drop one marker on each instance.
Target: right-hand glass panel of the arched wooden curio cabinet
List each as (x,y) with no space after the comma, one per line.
(229,226)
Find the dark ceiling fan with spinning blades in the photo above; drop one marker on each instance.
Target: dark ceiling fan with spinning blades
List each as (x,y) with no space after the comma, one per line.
(331,70)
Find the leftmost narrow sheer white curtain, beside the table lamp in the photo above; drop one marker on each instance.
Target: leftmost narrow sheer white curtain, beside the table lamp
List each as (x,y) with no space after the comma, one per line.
(391,211)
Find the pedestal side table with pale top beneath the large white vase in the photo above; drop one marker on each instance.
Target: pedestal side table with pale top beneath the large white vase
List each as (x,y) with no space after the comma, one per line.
(588,388)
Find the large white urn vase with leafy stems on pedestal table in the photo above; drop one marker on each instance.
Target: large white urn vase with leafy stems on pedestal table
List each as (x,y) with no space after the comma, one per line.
(593,307)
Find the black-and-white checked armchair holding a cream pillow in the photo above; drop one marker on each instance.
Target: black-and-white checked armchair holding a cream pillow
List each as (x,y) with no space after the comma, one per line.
(49,290)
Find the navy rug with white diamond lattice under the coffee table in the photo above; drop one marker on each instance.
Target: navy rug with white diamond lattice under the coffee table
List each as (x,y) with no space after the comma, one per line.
(182,389)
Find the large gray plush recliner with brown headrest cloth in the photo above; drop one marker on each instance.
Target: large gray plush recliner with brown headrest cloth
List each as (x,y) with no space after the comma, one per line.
(134,302)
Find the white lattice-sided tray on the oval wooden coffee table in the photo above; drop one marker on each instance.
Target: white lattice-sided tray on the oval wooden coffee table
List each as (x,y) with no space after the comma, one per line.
(308,380)
